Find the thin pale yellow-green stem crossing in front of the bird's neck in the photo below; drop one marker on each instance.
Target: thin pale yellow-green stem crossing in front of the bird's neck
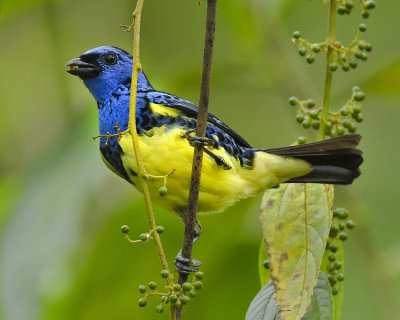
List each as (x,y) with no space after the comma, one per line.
(137,15)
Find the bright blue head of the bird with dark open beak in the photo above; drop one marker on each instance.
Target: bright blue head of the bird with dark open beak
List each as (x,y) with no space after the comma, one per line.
(104,70)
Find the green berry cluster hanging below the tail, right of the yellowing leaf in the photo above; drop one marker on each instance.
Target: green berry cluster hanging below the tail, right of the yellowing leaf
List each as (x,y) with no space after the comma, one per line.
(340,224)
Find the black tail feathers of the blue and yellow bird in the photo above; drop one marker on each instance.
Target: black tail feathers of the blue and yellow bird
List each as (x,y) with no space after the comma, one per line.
(333,161)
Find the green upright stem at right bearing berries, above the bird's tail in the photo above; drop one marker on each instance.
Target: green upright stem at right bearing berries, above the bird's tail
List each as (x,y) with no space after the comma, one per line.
(329,73)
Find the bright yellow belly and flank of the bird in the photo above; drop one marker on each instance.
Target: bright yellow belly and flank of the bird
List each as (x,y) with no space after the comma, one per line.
(166,149)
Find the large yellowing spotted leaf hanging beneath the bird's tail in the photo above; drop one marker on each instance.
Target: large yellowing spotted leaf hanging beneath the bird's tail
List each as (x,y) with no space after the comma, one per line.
(295,220)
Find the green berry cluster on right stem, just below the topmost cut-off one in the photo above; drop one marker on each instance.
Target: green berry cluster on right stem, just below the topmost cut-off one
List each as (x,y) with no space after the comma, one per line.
(345,57)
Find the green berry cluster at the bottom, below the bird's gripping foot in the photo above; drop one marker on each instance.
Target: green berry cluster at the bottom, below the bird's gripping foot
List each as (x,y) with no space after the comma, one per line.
(178,295)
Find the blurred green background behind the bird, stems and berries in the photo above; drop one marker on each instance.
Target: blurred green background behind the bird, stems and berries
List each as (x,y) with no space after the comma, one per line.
(61,250)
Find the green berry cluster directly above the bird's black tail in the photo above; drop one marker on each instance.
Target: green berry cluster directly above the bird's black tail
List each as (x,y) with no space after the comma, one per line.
(338,123)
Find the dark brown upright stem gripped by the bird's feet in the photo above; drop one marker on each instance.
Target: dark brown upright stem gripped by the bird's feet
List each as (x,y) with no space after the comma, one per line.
(190,218)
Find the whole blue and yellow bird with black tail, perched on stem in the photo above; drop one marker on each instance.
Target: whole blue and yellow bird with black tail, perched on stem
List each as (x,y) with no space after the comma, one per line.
(232,169)
